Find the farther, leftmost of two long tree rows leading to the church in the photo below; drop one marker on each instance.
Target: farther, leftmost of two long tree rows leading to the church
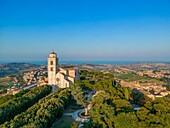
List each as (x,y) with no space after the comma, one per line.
(19,104)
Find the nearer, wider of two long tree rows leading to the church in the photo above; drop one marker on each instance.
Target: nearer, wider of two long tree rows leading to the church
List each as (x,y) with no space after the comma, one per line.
(42,114)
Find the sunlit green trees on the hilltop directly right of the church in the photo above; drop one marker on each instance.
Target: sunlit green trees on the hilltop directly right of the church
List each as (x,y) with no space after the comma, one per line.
(103,81)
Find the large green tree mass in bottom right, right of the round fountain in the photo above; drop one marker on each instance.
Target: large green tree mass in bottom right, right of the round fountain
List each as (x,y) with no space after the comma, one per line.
(109,111)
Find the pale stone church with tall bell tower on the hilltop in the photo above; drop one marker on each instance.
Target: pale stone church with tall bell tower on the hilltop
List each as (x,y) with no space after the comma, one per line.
(62,77)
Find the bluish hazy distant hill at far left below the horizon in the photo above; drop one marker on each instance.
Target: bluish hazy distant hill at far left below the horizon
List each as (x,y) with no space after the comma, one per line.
(14,68)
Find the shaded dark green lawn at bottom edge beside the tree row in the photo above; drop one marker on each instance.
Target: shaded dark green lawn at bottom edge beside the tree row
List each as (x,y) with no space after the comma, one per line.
(63,122)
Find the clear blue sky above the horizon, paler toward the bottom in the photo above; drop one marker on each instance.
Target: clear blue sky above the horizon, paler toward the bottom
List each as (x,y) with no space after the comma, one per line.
(85,29)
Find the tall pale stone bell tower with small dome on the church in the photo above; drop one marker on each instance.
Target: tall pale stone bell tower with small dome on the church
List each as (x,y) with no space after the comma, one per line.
(52,68)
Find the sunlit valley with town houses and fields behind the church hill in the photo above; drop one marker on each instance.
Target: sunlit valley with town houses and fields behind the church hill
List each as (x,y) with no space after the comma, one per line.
(152,79)
